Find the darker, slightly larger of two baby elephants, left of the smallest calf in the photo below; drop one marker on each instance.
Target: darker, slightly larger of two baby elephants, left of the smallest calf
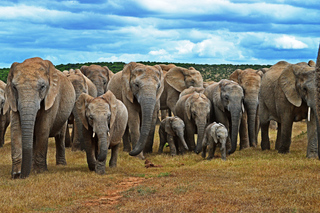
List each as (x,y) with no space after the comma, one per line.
(172,131)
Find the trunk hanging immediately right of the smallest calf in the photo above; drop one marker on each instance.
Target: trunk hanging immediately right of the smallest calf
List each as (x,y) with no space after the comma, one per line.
(235,124)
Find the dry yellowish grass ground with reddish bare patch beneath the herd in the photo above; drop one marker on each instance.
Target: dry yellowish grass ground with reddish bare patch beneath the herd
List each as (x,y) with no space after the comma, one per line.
(250,180)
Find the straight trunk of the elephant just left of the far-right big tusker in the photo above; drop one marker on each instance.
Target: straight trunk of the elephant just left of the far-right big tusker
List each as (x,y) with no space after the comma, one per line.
(252,115)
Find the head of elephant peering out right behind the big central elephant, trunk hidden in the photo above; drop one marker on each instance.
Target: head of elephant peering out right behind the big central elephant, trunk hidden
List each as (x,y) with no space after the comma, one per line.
(181,78)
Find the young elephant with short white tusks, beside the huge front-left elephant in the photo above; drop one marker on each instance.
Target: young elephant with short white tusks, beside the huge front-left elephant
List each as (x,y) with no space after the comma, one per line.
(104,119)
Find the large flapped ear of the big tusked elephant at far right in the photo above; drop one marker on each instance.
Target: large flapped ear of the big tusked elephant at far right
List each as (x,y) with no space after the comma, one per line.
(287,82)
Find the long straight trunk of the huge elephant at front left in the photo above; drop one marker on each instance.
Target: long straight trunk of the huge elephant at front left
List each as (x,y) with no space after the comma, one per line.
(28,114)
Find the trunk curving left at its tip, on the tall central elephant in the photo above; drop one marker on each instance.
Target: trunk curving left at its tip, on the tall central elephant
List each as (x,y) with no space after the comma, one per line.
(147,107)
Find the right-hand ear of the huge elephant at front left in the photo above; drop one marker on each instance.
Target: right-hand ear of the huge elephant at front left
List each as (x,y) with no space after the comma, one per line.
(53,85)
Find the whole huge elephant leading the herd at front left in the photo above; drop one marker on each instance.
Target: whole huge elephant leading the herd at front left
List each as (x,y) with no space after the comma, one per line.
(41,99)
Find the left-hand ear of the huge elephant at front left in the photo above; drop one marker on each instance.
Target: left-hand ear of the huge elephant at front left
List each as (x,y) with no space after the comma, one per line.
(11,100)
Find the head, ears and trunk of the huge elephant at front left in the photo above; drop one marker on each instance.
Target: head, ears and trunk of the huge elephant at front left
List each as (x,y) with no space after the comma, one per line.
(31,85)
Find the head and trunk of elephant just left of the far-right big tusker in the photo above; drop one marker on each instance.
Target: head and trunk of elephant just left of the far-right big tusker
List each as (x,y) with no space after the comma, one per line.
(250,81)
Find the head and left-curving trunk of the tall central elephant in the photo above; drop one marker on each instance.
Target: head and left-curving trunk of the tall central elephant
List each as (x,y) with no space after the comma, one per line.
(142,87)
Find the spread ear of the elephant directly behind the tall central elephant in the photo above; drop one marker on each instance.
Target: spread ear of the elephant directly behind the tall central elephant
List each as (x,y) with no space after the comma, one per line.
(175,78)
